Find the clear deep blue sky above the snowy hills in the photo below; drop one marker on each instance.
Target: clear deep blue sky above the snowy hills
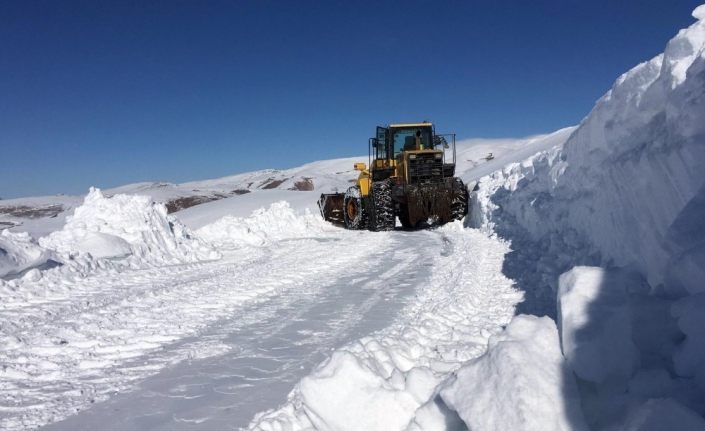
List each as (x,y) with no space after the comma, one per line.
(108,93)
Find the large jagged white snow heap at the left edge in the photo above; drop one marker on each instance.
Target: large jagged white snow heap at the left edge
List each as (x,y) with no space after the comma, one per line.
(121,231)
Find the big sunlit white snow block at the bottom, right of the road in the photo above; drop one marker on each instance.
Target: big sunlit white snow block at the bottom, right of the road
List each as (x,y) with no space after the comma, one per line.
(521,383)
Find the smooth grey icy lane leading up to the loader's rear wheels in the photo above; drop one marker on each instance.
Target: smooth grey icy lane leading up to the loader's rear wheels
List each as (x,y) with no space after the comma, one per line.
(275,344)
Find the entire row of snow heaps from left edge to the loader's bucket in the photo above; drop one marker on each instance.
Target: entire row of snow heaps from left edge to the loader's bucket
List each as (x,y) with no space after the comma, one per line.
(132,231)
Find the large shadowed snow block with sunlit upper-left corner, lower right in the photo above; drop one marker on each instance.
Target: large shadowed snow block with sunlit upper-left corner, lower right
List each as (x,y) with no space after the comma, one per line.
(621,344)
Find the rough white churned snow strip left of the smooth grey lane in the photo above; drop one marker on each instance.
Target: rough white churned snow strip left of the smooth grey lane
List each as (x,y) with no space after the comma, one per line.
(66,351)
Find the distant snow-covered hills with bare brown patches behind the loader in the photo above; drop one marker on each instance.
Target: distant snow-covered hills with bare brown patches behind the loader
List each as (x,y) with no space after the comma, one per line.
(43,215)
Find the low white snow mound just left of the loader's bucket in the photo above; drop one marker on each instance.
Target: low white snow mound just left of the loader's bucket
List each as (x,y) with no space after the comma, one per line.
(265,225)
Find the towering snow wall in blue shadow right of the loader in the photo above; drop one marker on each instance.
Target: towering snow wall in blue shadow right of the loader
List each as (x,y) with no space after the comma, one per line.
(626,174)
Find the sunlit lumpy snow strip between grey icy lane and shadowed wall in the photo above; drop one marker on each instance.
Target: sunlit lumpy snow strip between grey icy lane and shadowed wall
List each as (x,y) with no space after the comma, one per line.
(380,381)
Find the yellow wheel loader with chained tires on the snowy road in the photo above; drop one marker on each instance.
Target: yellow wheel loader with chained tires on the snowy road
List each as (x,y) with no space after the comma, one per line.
(410,175)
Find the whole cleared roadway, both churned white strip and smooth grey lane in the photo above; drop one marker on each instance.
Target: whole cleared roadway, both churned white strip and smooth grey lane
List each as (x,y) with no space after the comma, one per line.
(238,332)
